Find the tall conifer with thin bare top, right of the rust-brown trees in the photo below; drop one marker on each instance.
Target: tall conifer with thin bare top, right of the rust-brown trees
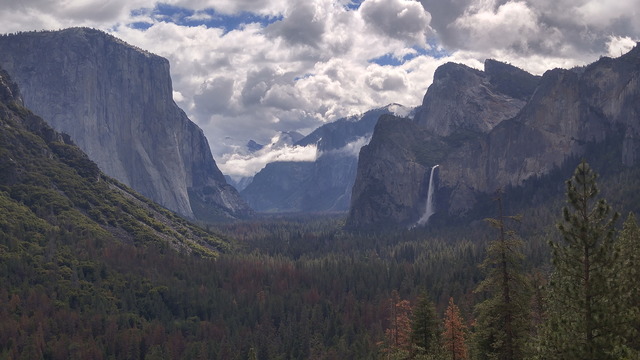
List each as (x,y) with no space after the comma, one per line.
(503,319)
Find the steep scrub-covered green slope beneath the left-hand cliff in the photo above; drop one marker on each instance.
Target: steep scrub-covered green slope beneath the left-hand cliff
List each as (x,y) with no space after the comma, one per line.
(49,188)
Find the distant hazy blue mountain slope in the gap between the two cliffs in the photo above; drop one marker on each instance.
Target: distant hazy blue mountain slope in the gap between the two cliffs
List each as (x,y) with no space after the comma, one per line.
(325,184)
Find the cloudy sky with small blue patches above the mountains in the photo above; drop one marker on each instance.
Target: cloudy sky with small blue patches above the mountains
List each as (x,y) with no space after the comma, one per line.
(250,69)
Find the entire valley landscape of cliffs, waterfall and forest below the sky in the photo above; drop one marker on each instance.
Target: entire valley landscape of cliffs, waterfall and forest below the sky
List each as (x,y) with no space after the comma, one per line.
(496,220)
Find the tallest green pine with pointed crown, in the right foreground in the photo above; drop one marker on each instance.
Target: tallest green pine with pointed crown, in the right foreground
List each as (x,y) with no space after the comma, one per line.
(584,312)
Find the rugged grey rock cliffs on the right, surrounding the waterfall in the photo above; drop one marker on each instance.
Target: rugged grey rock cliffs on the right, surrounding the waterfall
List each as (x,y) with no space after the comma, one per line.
(541,122)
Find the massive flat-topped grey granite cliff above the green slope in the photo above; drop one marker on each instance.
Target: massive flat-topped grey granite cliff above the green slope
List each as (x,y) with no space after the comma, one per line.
(116,103)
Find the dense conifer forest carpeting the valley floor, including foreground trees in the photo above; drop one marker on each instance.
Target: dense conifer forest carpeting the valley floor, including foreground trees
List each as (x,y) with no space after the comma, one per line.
(555,282)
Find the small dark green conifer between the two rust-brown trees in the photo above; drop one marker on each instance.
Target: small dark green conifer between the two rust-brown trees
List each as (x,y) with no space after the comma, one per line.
(424,327)
